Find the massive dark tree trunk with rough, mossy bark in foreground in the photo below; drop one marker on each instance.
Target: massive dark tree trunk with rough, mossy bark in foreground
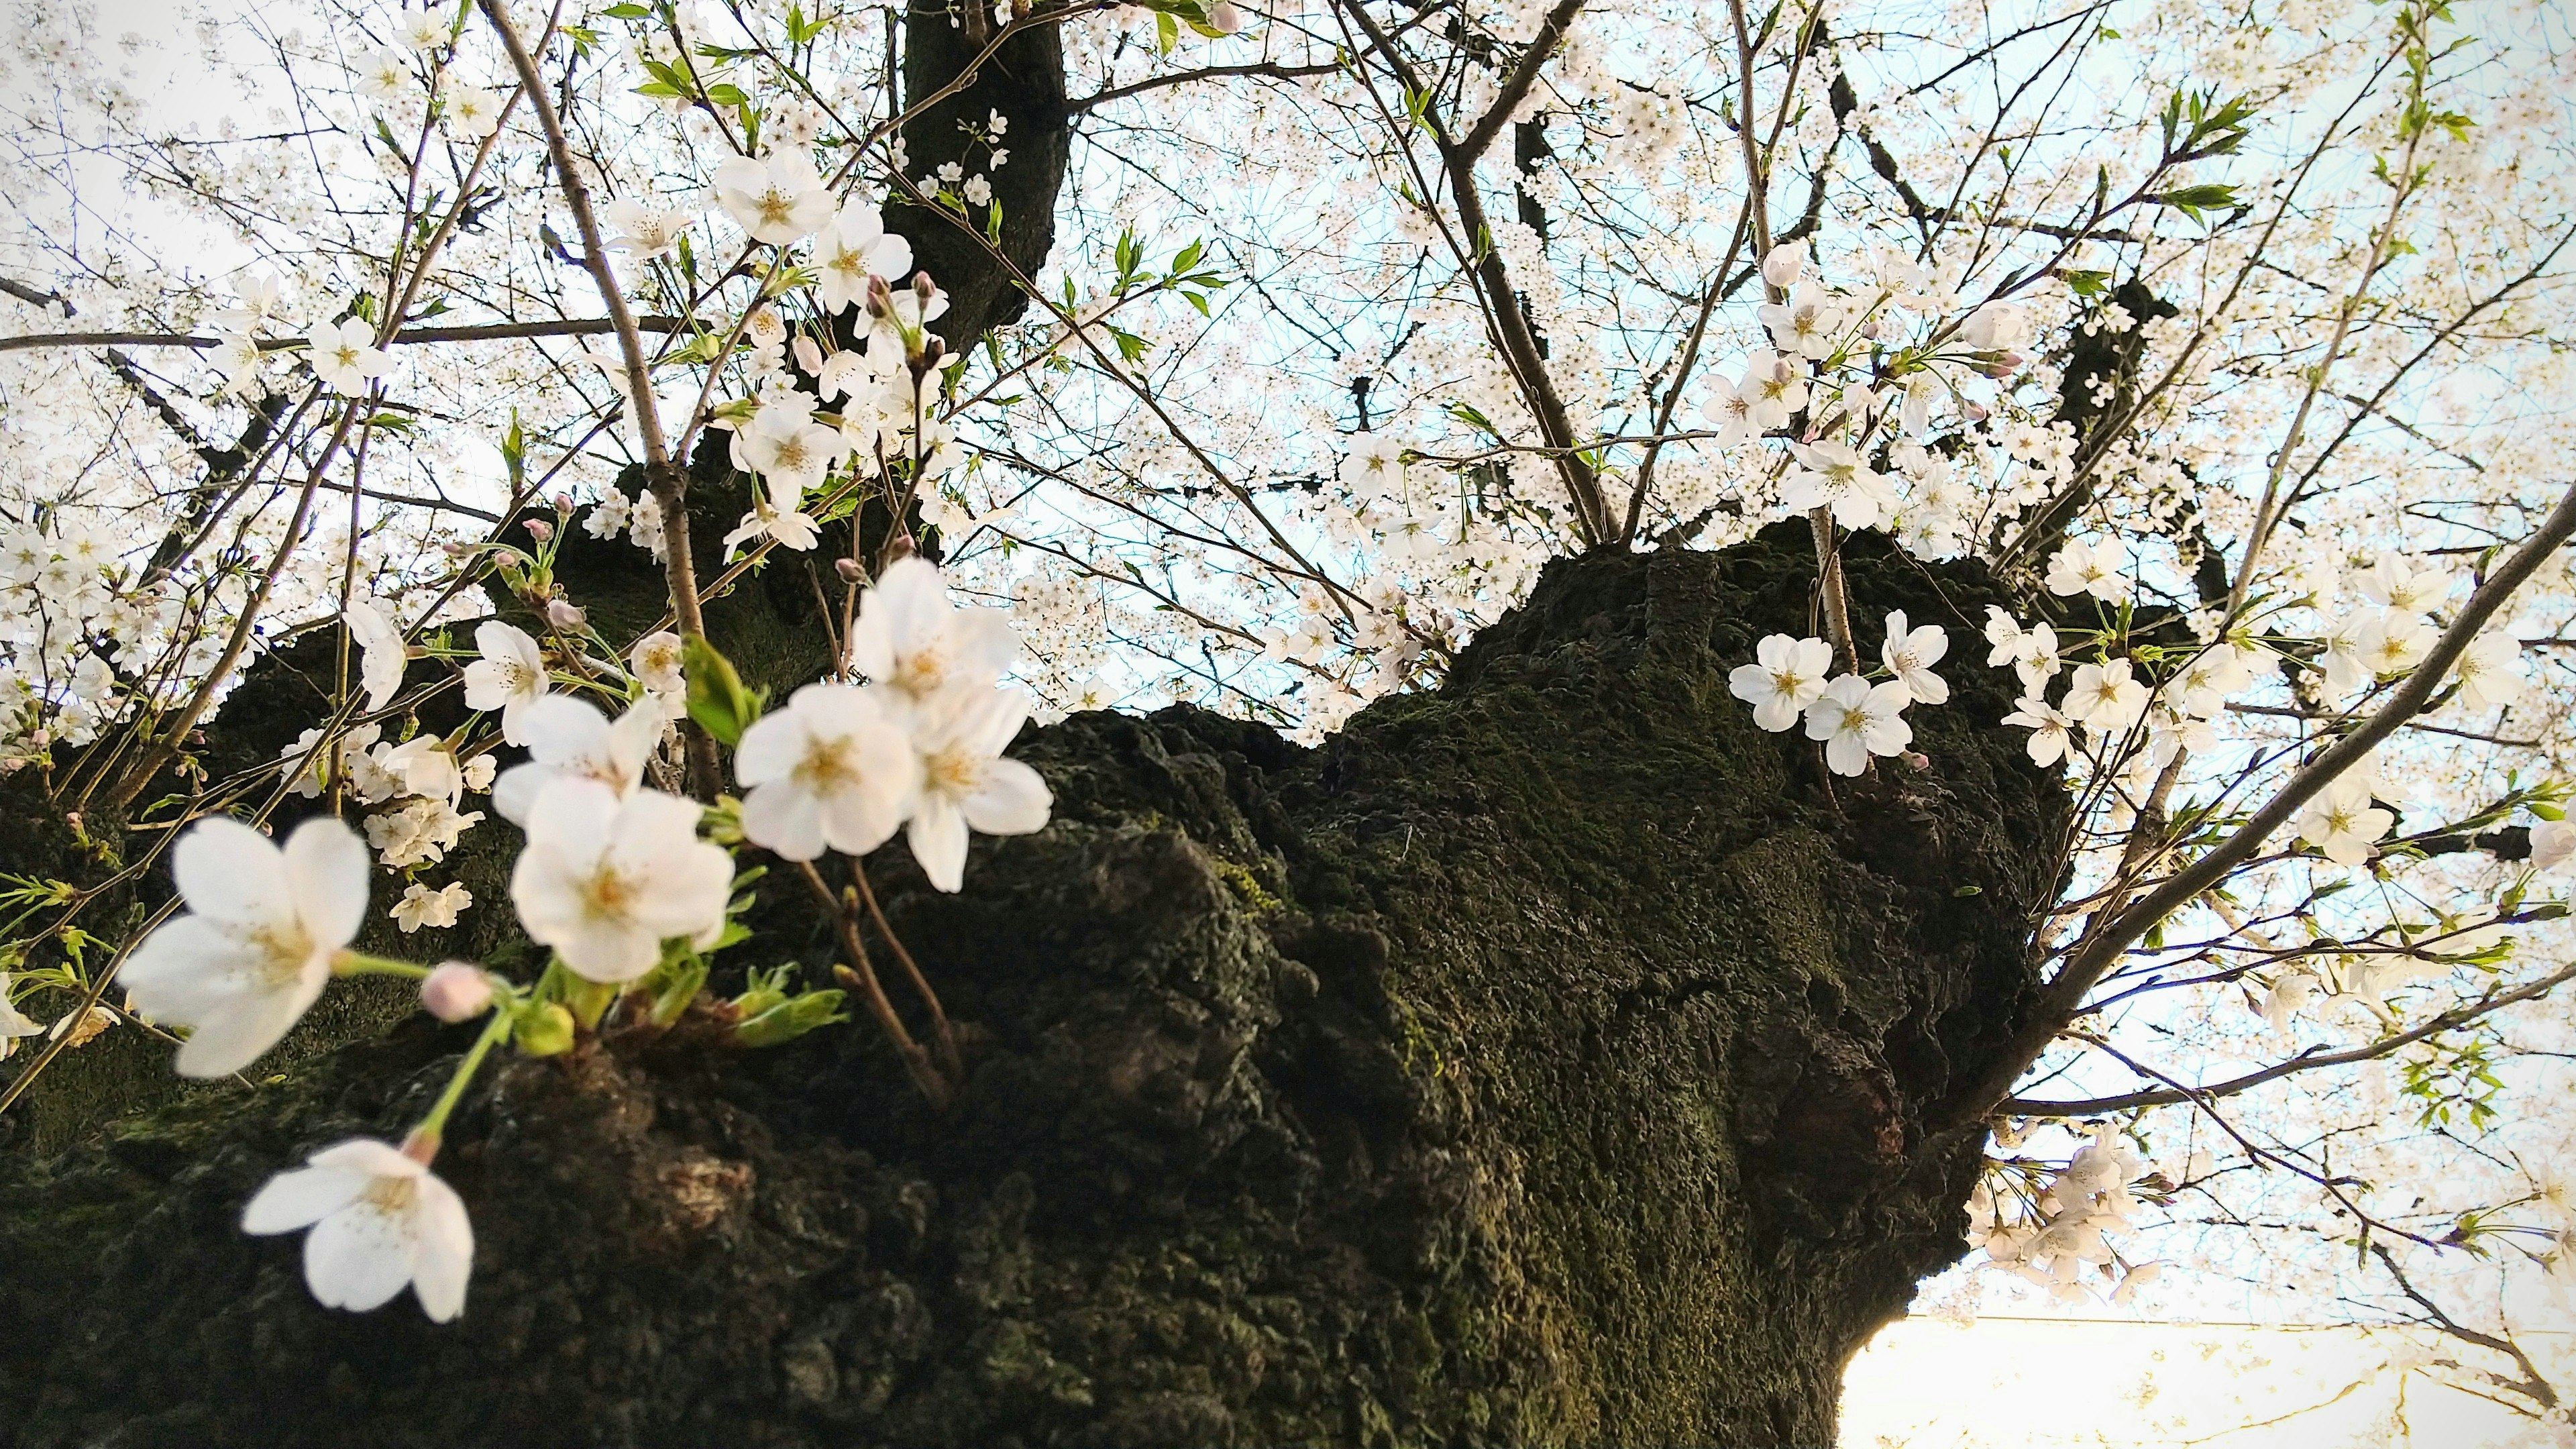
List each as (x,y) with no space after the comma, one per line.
(1539,1061)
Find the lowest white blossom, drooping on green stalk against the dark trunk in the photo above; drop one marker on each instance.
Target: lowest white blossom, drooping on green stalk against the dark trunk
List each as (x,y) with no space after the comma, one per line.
(380,1221)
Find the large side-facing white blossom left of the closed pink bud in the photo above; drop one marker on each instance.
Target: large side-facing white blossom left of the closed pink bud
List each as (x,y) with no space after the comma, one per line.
(259,937)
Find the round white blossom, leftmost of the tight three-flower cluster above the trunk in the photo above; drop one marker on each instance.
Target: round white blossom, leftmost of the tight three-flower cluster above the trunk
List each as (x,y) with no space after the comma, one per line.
(828,772)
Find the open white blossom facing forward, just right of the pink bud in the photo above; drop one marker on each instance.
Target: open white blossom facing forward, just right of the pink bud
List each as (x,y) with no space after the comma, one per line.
(607,880)
